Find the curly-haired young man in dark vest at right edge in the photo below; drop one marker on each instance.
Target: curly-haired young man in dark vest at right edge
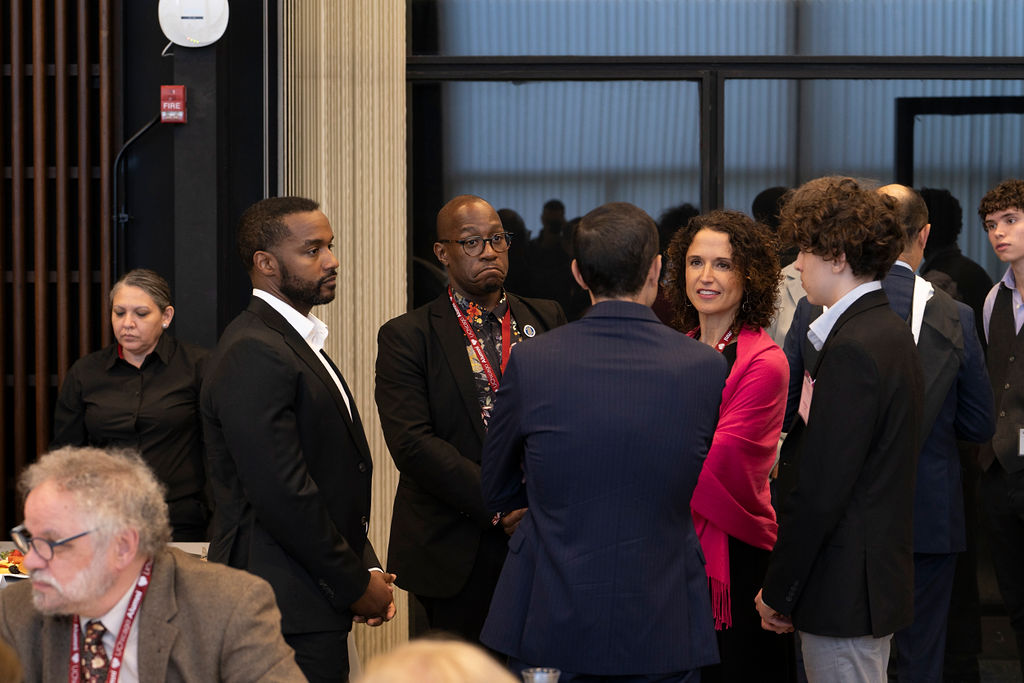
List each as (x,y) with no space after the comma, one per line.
(1002,212)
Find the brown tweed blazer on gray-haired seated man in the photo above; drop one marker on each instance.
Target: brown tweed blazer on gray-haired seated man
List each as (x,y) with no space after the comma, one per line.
(199,622)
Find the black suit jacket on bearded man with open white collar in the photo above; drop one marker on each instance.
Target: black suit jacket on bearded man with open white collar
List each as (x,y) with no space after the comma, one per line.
(290,472)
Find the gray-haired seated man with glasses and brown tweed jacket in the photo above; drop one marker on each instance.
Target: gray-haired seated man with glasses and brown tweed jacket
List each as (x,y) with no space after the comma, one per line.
(108,601)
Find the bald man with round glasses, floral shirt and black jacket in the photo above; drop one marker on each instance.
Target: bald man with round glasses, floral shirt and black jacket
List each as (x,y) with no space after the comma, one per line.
(435,396)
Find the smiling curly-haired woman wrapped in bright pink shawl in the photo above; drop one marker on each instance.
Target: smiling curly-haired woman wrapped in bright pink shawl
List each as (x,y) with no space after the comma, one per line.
(722,277)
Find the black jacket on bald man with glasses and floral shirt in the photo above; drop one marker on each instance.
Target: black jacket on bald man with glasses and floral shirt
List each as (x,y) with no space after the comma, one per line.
(431,414)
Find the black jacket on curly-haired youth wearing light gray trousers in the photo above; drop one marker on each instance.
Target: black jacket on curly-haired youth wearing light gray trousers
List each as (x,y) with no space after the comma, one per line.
(843,565)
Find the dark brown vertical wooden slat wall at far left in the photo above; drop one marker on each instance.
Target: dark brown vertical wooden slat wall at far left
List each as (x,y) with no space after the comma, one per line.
(55,214)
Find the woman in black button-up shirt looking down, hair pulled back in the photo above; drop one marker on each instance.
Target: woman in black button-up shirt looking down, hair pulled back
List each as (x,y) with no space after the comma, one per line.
(143,394)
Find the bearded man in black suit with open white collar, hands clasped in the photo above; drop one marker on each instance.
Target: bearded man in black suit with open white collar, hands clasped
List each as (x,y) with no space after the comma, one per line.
(289,463)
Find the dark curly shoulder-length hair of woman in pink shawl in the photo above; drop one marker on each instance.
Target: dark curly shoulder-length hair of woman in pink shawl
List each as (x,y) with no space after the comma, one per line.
(755,258)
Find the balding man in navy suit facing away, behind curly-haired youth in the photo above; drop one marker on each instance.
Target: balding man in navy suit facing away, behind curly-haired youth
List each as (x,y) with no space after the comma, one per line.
(958,406)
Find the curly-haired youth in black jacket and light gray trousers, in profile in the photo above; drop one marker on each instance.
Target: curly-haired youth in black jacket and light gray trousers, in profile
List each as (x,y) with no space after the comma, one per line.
(842,571)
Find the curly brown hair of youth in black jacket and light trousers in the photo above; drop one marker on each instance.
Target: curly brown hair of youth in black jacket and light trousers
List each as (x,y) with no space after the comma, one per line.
(835,216)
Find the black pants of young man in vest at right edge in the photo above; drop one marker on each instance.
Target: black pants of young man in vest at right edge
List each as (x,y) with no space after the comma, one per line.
(1003,494)
